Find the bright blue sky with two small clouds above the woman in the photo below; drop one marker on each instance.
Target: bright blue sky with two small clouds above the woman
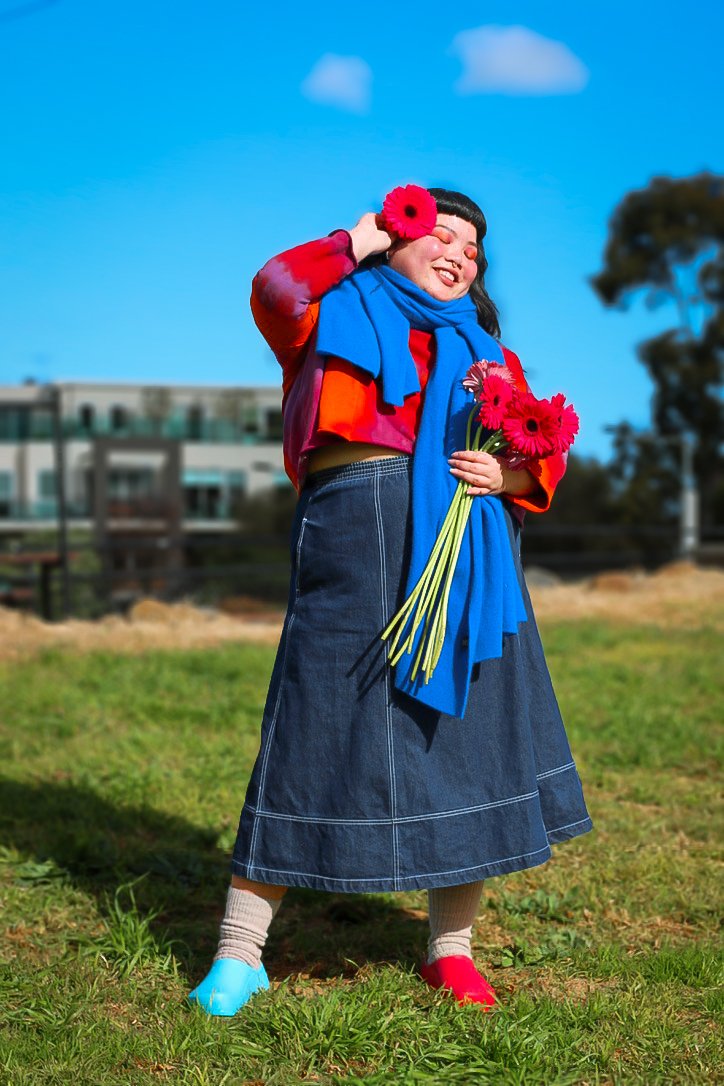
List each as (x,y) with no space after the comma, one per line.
(157,153)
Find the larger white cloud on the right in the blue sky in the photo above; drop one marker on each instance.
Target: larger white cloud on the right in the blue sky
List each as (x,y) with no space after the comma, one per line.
(513,60)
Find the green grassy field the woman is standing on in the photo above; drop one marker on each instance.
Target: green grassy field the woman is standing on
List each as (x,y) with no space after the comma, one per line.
(121,784)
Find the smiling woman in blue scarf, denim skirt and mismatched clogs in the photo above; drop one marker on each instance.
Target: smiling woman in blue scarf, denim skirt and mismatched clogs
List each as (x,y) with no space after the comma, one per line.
(364,784)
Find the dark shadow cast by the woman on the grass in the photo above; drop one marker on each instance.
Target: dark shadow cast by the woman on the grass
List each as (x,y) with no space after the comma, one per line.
(74,835)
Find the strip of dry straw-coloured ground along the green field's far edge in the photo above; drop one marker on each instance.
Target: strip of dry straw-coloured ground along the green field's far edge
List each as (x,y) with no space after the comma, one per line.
(677,596)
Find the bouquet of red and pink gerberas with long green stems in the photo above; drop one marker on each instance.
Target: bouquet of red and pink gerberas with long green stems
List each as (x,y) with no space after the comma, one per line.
(524,430)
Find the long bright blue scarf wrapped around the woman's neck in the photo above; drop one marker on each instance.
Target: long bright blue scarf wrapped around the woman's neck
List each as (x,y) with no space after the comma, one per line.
(367,320)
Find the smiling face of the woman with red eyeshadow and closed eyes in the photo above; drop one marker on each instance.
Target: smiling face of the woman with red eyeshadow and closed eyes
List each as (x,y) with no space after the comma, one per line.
(442,263)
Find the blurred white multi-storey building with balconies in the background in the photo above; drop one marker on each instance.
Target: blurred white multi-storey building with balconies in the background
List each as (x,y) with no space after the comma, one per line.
(230,445)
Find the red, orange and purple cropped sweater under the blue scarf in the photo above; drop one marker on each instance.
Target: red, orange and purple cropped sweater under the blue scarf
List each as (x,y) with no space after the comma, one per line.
(286,297)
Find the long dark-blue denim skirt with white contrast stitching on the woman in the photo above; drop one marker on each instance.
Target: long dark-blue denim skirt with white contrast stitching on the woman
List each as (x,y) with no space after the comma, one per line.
(360,788)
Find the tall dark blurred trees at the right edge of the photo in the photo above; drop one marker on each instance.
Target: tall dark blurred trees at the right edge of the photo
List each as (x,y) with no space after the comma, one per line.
(667,243)
